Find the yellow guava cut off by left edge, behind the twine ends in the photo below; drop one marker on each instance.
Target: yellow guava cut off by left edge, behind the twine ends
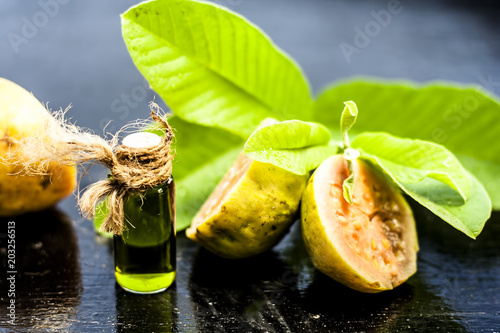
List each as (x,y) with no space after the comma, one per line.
(22,115)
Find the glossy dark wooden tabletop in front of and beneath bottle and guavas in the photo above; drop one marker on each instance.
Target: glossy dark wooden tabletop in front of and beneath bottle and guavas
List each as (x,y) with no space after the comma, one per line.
(277,291)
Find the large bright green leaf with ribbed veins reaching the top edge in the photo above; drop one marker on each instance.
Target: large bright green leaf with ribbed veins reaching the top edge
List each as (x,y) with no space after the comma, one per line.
(213,67)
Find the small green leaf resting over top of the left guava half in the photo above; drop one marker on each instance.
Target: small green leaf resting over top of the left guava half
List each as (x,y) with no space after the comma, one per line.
(293,145)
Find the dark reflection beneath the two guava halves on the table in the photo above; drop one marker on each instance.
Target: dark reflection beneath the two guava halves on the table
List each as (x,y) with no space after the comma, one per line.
(280,291)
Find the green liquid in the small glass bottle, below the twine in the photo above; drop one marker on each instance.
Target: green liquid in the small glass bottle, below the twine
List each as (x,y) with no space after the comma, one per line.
(145,252)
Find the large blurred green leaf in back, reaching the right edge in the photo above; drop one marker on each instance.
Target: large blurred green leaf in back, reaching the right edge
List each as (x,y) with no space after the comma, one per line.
(463,118)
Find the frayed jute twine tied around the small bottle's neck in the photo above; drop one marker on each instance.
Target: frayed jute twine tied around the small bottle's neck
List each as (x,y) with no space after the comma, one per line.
(133,170)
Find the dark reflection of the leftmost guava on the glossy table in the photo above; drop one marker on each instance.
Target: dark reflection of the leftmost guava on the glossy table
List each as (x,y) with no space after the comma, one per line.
(48,282)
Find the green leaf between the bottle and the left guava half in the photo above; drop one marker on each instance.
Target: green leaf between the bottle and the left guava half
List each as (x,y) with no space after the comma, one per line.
(203,156)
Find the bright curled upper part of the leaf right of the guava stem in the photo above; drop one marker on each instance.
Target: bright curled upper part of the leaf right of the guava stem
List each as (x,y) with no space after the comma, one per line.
(410,161)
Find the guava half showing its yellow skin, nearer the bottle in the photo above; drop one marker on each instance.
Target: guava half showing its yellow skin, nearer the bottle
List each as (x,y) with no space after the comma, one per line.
(249,211)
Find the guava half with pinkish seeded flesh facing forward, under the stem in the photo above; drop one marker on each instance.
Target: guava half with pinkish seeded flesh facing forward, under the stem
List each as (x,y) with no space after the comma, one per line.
(370,245)
